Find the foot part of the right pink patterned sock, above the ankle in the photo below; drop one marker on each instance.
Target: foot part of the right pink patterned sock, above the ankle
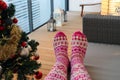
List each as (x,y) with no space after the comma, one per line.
(79,44)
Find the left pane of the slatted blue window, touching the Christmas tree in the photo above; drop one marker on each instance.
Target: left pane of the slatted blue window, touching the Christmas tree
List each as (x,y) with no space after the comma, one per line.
(21,13)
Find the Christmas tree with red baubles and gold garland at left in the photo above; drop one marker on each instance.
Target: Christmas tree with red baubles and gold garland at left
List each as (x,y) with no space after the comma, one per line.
(17,52)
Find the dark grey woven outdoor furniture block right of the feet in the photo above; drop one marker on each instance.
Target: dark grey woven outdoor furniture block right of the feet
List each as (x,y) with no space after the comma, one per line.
(102,28)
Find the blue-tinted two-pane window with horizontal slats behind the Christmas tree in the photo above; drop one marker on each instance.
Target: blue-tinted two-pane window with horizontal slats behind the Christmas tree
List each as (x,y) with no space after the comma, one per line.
(31,13)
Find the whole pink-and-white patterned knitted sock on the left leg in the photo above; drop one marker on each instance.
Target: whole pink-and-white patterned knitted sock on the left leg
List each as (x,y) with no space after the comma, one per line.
(59,70)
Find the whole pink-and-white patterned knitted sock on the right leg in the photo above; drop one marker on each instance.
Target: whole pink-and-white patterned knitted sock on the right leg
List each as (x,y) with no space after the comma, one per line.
(79,45)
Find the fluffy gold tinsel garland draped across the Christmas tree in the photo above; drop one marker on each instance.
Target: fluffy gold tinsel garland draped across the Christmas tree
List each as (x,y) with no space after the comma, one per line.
(10,47)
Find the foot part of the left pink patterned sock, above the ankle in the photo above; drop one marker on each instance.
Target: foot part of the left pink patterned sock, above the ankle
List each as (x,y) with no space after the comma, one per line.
(60,45)
